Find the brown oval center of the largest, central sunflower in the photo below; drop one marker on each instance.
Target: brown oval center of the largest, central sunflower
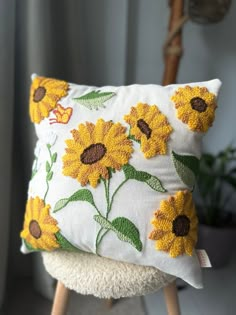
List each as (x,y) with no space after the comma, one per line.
(93,153)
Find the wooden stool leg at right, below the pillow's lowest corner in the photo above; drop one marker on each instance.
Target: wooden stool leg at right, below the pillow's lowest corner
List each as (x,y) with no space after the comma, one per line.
(171,298)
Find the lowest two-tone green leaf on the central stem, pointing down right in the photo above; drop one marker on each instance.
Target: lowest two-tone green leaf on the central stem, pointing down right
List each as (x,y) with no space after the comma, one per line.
(125,230)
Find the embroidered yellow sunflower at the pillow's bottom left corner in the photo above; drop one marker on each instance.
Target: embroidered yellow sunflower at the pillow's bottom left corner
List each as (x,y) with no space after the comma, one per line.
(39,227)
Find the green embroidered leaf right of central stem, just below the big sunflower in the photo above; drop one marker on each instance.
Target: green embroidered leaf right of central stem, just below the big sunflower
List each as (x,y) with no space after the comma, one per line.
(152,181)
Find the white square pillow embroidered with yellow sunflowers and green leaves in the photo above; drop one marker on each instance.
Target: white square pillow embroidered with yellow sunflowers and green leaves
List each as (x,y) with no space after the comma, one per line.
(114,170)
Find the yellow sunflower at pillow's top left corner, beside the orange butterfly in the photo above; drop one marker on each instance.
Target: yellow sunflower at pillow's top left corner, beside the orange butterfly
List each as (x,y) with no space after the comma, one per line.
(44,95)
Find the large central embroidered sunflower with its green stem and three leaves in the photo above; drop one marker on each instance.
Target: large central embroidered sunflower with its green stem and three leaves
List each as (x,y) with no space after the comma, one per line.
(93,155)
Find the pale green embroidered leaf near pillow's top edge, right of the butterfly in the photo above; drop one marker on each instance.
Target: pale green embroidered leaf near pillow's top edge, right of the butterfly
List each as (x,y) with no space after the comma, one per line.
(94,99)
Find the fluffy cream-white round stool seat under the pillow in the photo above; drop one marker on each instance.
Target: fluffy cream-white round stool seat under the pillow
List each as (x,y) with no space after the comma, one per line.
(103,277)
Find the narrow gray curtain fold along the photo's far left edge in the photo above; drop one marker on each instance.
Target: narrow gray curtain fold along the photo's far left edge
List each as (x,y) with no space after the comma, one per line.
(7,71)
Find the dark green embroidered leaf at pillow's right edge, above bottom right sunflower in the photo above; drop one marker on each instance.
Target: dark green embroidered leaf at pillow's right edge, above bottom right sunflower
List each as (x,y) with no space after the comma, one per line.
(186,167)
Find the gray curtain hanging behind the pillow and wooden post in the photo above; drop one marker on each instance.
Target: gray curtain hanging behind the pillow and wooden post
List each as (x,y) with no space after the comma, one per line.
(93,42)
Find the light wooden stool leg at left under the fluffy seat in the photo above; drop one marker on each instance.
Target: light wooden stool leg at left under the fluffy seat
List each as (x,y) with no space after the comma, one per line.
(61,299)
